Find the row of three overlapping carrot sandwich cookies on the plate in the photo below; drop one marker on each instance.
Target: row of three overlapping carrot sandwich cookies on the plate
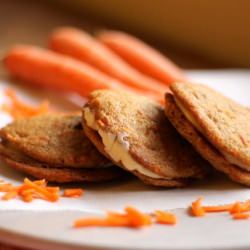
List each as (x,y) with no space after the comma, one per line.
(121,132)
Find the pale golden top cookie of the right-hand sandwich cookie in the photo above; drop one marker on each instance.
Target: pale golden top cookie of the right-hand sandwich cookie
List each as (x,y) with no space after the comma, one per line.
(221,120)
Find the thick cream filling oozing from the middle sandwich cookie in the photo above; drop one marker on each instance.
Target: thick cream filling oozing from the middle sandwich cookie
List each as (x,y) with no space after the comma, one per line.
(117,147)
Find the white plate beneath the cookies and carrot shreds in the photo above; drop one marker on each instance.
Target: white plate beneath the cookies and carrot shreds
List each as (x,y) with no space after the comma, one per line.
(49,226)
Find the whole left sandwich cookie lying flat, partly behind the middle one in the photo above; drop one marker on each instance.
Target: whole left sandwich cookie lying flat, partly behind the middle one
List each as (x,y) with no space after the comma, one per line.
(54,147)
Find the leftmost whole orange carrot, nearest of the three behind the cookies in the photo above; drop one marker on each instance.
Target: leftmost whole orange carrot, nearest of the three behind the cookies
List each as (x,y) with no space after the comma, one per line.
(48,69)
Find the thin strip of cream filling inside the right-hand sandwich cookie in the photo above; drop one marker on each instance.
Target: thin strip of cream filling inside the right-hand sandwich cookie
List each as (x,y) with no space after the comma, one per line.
(190,118)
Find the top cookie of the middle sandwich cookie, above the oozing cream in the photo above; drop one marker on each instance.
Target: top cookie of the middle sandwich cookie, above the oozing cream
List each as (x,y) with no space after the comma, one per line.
(145,133)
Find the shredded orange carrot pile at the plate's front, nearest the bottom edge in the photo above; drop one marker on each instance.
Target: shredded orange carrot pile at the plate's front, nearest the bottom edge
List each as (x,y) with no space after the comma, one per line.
(131,217)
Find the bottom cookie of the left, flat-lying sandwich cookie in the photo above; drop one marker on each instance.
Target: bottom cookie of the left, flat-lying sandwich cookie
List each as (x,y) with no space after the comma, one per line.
(40,170)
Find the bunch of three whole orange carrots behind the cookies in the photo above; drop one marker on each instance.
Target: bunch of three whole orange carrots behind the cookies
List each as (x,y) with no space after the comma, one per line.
(81,63)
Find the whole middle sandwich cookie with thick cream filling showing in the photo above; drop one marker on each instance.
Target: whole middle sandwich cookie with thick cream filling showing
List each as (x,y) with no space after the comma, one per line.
(135,134)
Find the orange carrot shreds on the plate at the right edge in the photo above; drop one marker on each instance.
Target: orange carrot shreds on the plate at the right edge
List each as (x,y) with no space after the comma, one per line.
(238,210)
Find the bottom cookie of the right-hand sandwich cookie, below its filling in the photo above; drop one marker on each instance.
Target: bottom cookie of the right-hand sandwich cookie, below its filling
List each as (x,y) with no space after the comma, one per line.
(202,146)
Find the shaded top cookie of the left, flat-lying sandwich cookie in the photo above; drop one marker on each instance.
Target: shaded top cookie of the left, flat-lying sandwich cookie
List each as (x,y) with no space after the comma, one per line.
(54,139)
